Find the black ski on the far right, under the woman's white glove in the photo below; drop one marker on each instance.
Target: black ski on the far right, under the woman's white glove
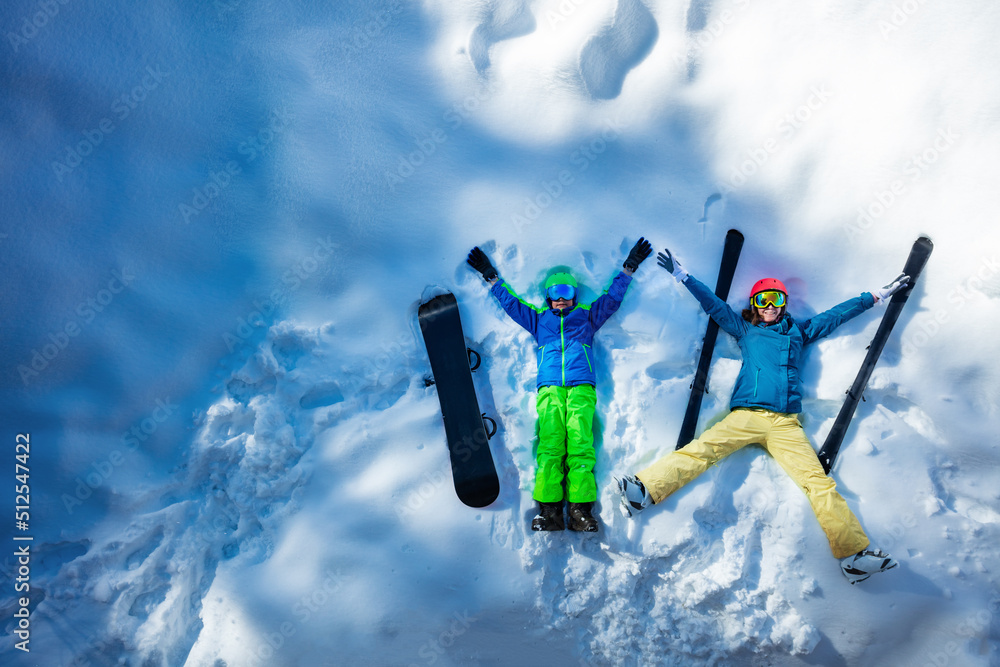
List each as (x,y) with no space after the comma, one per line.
(921,250)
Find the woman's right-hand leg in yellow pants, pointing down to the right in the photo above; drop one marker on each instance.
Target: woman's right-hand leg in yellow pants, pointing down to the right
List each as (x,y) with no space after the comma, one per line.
(790,447)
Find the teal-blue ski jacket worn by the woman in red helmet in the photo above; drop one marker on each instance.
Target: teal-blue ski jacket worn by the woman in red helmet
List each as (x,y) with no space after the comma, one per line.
(769,377)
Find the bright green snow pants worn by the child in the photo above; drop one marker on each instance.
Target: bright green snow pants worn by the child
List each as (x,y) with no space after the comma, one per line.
(566,444)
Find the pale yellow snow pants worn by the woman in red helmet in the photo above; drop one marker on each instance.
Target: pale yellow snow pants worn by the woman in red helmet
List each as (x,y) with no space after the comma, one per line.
(781,435)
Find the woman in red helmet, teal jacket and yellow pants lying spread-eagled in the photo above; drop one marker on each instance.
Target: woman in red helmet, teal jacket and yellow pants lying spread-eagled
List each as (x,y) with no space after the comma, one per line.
(764,407)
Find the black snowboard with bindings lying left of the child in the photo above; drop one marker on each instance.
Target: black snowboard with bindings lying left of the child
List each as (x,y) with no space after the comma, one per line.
(472,468)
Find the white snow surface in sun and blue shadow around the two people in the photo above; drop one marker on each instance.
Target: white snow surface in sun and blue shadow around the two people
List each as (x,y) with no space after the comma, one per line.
(219,219)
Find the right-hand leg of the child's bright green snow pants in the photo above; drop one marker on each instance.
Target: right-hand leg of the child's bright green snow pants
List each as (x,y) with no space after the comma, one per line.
(580,456)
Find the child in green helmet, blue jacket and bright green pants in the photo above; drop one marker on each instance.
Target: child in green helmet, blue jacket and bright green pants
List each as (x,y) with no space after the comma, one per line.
(564,331)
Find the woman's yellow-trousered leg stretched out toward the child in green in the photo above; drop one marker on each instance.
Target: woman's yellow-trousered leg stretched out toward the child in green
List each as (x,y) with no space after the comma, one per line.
(738,429)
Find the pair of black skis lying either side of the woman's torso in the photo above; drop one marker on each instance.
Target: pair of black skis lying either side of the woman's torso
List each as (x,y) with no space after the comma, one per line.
(919,254)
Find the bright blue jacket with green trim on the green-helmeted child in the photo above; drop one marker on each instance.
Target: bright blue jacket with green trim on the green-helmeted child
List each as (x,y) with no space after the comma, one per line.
(565,342)
